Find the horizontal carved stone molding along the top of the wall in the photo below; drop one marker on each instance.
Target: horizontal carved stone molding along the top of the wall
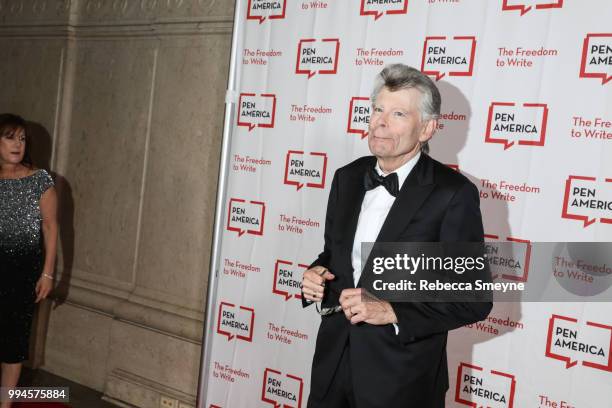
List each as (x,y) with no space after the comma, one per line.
(114,19)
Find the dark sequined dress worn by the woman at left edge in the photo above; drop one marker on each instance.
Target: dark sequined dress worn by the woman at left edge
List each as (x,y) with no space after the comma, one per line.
(21,259)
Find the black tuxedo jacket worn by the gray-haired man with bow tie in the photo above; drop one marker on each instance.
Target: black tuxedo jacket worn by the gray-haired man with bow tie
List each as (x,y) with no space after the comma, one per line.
(409,369)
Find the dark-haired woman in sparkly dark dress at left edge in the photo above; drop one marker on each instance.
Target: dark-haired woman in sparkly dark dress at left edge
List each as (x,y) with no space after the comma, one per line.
(28,203)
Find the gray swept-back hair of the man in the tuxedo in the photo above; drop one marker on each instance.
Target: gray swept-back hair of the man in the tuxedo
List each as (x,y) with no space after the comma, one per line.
(396,77)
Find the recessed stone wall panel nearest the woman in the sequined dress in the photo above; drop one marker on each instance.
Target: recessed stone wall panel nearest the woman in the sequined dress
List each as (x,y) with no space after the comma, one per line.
(106,150)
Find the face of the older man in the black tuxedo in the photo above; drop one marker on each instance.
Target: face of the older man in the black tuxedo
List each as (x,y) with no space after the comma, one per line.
(396,128)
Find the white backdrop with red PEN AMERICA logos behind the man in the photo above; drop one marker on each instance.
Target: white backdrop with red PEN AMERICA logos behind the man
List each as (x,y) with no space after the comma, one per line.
(526,116)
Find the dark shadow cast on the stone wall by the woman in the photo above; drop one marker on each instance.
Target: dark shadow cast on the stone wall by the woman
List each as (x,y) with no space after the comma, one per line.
(41,146)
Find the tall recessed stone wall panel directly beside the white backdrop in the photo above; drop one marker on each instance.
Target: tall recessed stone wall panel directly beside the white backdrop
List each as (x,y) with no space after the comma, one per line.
(179,199)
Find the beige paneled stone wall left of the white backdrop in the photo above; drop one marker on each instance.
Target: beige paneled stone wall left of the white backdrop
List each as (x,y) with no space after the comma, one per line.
(126,103)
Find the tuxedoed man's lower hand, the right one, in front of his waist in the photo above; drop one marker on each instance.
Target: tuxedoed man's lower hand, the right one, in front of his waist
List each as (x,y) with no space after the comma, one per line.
(359,306)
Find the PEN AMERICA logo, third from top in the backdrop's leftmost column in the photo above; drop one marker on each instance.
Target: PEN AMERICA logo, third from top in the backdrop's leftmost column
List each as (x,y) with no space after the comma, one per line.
(246,217)
